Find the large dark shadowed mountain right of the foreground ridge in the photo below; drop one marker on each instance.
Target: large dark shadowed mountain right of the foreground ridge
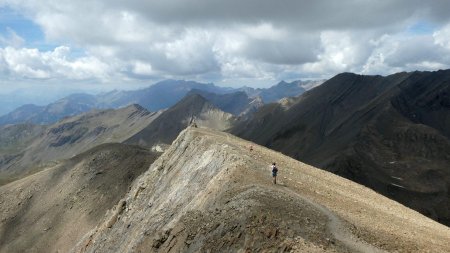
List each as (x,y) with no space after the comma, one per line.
(389,133)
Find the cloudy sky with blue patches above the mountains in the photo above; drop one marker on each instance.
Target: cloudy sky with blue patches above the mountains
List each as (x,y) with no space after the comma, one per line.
(118,44)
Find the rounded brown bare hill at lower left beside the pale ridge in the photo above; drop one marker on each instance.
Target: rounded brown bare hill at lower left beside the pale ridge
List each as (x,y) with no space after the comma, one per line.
(51,210)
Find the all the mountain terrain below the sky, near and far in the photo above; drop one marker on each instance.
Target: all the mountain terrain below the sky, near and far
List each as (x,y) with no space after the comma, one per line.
(211,191)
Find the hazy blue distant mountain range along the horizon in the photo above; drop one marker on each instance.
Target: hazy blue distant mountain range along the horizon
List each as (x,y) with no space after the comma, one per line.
(161,95)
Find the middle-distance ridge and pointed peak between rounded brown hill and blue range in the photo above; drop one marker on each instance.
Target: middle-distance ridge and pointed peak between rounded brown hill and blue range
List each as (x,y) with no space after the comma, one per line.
(26,148)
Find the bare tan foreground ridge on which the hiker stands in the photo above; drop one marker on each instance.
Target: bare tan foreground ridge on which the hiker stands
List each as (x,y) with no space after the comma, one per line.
(209,193)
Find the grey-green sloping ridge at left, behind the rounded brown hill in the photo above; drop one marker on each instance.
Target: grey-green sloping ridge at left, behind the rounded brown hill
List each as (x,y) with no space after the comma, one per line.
(74,135)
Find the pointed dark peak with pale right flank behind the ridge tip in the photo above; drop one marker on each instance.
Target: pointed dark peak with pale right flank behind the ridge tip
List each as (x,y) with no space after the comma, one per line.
(192,108)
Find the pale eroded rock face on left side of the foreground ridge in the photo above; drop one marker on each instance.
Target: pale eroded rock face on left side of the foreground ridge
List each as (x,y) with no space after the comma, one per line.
(173,186)
